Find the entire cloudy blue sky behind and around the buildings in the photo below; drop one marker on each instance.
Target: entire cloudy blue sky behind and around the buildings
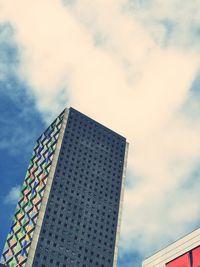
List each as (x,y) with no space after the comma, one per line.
(132,65)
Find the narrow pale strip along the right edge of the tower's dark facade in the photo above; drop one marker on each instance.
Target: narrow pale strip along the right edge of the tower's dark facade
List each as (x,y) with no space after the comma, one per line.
(120,206)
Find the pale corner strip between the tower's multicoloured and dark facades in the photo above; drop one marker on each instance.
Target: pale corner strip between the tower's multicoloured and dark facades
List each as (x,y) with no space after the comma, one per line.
(40,218)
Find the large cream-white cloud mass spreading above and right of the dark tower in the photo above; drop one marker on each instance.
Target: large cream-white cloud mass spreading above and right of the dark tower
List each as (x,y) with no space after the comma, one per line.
(132,84)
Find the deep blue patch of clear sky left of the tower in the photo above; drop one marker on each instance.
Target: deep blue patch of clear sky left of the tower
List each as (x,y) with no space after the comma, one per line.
(21,123)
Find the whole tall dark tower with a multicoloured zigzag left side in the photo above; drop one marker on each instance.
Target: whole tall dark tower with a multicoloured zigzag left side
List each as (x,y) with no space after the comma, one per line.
(69,209)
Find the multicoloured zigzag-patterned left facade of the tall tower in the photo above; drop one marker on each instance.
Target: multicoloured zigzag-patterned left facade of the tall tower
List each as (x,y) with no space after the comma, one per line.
(19,239)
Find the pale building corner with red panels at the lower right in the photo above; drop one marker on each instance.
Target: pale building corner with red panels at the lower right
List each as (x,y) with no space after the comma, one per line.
(183,253)
